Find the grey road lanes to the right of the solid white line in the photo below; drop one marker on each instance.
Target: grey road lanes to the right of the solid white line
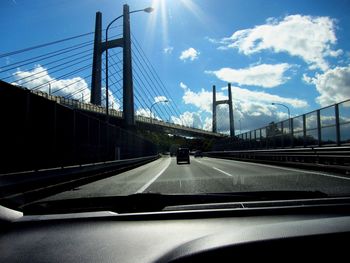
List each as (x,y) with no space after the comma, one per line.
(220,175)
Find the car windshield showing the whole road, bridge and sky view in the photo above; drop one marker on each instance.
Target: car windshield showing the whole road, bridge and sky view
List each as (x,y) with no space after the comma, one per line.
(190,97)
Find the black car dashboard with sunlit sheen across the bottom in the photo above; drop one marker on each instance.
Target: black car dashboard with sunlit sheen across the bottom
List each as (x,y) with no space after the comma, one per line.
(224,233)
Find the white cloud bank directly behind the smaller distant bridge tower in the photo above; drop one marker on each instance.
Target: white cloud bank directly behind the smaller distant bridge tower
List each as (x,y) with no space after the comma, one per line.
(252,107)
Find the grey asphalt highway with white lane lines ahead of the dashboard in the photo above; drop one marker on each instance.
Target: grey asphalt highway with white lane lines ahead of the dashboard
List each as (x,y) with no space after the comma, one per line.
(209,175)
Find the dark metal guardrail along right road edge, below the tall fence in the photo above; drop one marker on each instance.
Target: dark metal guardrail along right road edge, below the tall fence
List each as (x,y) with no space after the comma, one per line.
(335,159)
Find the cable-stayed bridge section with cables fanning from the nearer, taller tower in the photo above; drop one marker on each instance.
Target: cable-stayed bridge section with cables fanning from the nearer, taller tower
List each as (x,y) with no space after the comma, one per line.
(73,72)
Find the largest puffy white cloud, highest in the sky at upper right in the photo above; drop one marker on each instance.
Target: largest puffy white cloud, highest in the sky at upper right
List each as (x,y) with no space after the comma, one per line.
(307,37)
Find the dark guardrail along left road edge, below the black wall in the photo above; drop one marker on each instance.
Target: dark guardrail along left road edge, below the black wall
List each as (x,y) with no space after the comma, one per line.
(21,186)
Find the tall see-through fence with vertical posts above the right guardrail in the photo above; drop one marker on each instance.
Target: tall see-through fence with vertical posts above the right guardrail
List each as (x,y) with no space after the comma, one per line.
(328,126)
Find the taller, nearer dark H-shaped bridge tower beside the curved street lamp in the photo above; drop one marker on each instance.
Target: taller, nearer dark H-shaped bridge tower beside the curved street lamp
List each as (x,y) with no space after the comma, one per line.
(99,48)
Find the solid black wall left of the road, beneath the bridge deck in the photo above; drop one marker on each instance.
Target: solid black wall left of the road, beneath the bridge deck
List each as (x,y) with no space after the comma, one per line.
(37,133)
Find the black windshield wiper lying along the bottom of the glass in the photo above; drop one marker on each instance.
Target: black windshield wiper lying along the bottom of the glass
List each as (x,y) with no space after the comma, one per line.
(151,202)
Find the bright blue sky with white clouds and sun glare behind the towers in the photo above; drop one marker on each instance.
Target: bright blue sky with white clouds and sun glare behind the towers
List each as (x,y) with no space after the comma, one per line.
(292,52)
